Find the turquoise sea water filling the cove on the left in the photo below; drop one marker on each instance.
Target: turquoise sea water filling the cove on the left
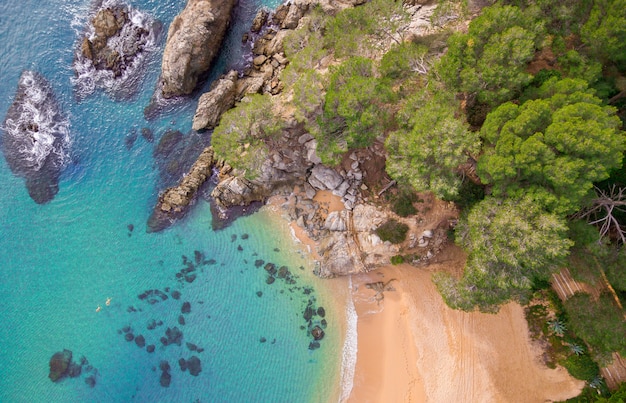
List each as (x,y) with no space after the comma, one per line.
(61,260)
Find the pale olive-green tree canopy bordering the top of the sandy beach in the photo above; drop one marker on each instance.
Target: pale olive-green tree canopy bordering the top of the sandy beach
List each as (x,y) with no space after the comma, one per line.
(510,243)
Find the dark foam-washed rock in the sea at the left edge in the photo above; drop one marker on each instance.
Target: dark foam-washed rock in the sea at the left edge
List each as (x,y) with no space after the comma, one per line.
(36,136)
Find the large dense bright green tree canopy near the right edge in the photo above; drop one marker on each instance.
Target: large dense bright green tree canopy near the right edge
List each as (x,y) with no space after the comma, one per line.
(552,148)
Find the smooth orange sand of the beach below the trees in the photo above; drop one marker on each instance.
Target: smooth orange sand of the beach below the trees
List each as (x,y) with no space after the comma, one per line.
(413,348)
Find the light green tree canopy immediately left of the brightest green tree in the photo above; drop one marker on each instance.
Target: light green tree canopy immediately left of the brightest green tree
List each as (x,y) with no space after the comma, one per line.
(430,145)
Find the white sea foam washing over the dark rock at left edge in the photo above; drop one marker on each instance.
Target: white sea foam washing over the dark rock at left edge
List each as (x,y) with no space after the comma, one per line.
(35,127)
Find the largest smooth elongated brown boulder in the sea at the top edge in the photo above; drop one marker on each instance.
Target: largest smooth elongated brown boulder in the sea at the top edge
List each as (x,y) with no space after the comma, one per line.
(193,40)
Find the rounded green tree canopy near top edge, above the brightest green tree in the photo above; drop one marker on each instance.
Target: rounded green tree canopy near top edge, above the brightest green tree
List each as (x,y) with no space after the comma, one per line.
(489,61)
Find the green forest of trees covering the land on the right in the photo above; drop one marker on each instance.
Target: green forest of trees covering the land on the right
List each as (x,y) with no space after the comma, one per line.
(518,119)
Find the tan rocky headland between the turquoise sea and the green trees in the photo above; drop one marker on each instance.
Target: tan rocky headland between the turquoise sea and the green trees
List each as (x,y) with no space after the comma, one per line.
(345,240)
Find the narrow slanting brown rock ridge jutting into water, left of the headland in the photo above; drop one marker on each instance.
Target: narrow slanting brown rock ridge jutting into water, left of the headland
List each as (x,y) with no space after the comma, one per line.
(174,201)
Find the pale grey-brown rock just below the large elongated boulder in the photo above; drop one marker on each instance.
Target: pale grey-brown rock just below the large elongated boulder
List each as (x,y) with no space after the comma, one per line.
(214,103)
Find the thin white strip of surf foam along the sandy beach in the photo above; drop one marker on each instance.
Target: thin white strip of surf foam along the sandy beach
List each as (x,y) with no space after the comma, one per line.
(350,348)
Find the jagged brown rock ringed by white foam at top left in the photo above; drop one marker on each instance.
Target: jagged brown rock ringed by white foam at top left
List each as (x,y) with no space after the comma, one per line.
(112,49)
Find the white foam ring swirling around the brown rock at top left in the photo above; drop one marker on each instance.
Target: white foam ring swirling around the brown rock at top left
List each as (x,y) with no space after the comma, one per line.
(88,78)
